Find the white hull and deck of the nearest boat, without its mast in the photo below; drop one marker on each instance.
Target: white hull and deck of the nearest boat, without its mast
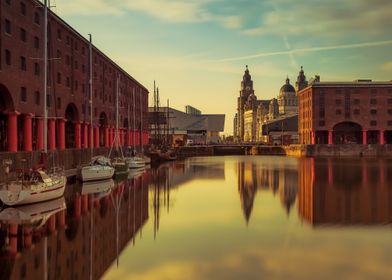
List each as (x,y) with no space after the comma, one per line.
(35,187)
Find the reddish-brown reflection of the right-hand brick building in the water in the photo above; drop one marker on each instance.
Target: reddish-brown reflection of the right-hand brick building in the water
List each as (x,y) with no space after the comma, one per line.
(345,192)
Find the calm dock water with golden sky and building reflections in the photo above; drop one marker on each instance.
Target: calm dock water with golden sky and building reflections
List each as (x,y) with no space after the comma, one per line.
(215,218)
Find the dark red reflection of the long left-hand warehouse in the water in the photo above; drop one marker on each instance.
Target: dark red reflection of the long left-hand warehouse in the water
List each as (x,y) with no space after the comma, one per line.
(79,241)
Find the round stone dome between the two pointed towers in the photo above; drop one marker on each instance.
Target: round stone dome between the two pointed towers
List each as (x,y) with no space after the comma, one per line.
(287,99)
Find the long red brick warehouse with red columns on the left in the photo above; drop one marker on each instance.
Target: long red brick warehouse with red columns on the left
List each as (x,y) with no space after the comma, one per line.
(21,86)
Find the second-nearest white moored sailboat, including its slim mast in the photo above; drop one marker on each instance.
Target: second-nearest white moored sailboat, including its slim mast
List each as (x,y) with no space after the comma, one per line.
(100,167)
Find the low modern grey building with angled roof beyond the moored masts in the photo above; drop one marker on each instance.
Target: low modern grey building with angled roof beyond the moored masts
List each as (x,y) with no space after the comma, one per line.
(177,128)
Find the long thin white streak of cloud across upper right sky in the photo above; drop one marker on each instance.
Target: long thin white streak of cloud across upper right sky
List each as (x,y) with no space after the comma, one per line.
(311,49)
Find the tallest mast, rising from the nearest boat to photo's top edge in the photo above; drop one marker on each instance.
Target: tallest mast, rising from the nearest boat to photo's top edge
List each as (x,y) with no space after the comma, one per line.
(45,75)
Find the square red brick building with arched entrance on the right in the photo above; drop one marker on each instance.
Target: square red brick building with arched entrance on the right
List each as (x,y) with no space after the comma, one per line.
(358,112)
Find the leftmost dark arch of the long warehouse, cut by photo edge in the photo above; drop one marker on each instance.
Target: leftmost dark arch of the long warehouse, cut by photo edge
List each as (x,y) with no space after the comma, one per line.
(6,104)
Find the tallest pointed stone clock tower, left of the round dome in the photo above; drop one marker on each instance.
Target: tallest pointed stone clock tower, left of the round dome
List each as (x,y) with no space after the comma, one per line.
(245,92)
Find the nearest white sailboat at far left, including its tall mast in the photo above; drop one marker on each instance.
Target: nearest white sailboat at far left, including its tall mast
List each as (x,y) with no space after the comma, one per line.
(37,185)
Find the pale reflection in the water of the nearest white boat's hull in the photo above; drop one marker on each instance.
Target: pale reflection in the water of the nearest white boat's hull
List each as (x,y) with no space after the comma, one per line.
(37,213)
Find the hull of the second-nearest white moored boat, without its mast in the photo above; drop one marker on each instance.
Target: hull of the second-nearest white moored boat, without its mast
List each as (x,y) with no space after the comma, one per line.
(100,168)
